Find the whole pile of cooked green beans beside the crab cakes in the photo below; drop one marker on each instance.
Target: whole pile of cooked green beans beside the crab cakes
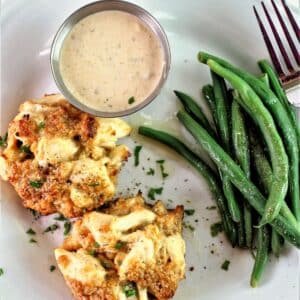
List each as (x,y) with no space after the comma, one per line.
(253,140)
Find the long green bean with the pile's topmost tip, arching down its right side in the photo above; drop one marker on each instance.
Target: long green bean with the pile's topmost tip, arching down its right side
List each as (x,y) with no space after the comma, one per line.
(283,120)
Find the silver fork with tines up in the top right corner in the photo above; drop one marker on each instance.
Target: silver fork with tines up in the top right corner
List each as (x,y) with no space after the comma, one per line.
(290,79)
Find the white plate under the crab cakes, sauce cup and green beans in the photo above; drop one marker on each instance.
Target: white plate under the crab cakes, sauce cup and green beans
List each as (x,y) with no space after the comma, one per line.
(227,28)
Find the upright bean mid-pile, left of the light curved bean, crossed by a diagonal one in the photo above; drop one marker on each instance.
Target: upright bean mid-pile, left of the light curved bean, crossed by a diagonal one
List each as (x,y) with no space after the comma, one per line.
(241,149)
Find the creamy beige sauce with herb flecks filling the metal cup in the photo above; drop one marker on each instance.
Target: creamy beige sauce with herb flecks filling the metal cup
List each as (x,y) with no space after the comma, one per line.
(111,61)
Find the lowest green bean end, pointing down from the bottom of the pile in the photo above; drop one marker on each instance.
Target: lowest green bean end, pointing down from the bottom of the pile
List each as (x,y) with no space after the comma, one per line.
(263,241)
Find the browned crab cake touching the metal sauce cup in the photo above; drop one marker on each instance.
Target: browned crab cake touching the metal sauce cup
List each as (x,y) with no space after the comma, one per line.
(60,159)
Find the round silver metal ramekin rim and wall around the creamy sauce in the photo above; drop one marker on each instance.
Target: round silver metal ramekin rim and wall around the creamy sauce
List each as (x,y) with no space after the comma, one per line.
(92,8)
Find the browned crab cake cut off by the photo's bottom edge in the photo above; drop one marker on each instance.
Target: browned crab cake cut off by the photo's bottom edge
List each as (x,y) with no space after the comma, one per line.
(128,249)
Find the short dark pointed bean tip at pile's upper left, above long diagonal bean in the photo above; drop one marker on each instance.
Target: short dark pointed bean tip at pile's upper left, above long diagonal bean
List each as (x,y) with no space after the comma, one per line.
(195,111)
